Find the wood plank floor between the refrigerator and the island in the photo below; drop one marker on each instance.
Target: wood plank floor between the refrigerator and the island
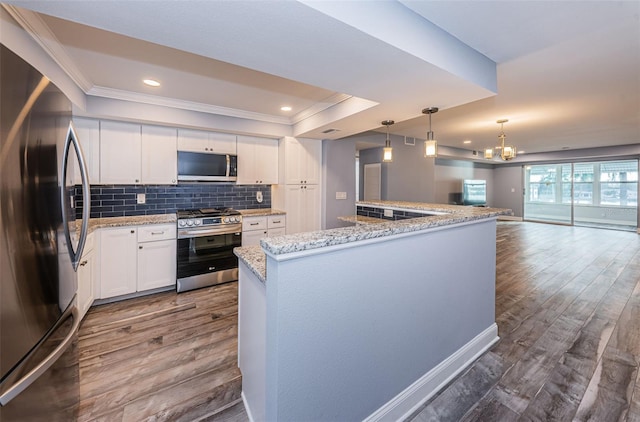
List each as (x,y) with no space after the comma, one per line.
(164,357)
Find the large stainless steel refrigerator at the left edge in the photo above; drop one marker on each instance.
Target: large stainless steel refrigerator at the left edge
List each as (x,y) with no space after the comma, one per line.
(40,246)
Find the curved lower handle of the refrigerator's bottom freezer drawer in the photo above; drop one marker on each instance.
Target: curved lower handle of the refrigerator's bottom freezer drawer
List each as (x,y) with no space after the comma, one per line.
(42,367)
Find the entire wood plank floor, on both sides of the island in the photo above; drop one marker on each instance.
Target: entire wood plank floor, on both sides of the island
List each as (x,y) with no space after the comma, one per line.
(568,314)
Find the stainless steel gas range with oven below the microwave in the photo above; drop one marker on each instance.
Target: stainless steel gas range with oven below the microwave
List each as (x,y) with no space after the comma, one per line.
(206,238)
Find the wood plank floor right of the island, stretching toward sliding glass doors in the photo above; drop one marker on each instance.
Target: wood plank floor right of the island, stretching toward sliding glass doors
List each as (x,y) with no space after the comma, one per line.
(568,314)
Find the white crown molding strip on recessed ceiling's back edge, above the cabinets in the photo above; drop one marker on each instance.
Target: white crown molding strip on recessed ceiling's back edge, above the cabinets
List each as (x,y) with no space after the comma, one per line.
(117,94)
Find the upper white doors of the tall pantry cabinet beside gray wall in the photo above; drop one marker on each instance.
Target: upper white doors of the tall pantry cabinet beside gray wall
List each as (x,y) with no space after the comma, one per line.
(301,160)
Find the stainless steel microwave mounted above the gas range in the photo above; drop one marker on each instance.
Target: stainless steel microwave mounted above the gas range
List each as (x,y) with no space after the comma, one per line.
(203,167)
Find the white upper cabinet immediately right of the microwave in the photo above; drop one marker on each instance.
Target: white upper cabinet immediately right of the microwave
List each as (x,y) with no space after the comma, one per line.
(257,161)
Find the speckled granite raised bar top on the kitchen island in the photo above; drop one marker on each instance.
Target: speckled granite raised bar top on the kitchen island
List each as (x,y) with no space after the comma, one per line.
(446,215)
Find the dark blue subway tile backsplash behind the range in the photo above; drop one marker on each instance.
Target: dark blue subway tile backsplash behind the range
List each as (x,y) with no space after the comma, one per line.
(121,200)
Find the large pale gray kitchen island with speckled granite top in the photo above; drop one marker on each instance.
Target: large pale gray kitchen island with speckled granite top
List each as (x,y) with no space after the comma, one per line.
(366,322)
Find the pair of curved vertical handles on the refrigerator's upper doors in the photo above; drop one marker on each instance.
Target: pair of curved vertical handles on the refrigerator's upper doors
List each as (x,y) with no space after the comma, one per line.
(72,139)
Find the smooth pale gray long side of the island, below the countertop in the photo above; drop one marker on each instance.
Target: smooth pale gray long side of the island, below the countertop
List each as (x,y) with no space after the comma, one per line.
(349,329)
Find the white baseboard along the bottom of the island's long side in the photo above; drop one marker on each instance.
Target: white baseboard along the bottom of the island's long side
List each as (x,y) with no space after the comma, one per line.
(414,396)
